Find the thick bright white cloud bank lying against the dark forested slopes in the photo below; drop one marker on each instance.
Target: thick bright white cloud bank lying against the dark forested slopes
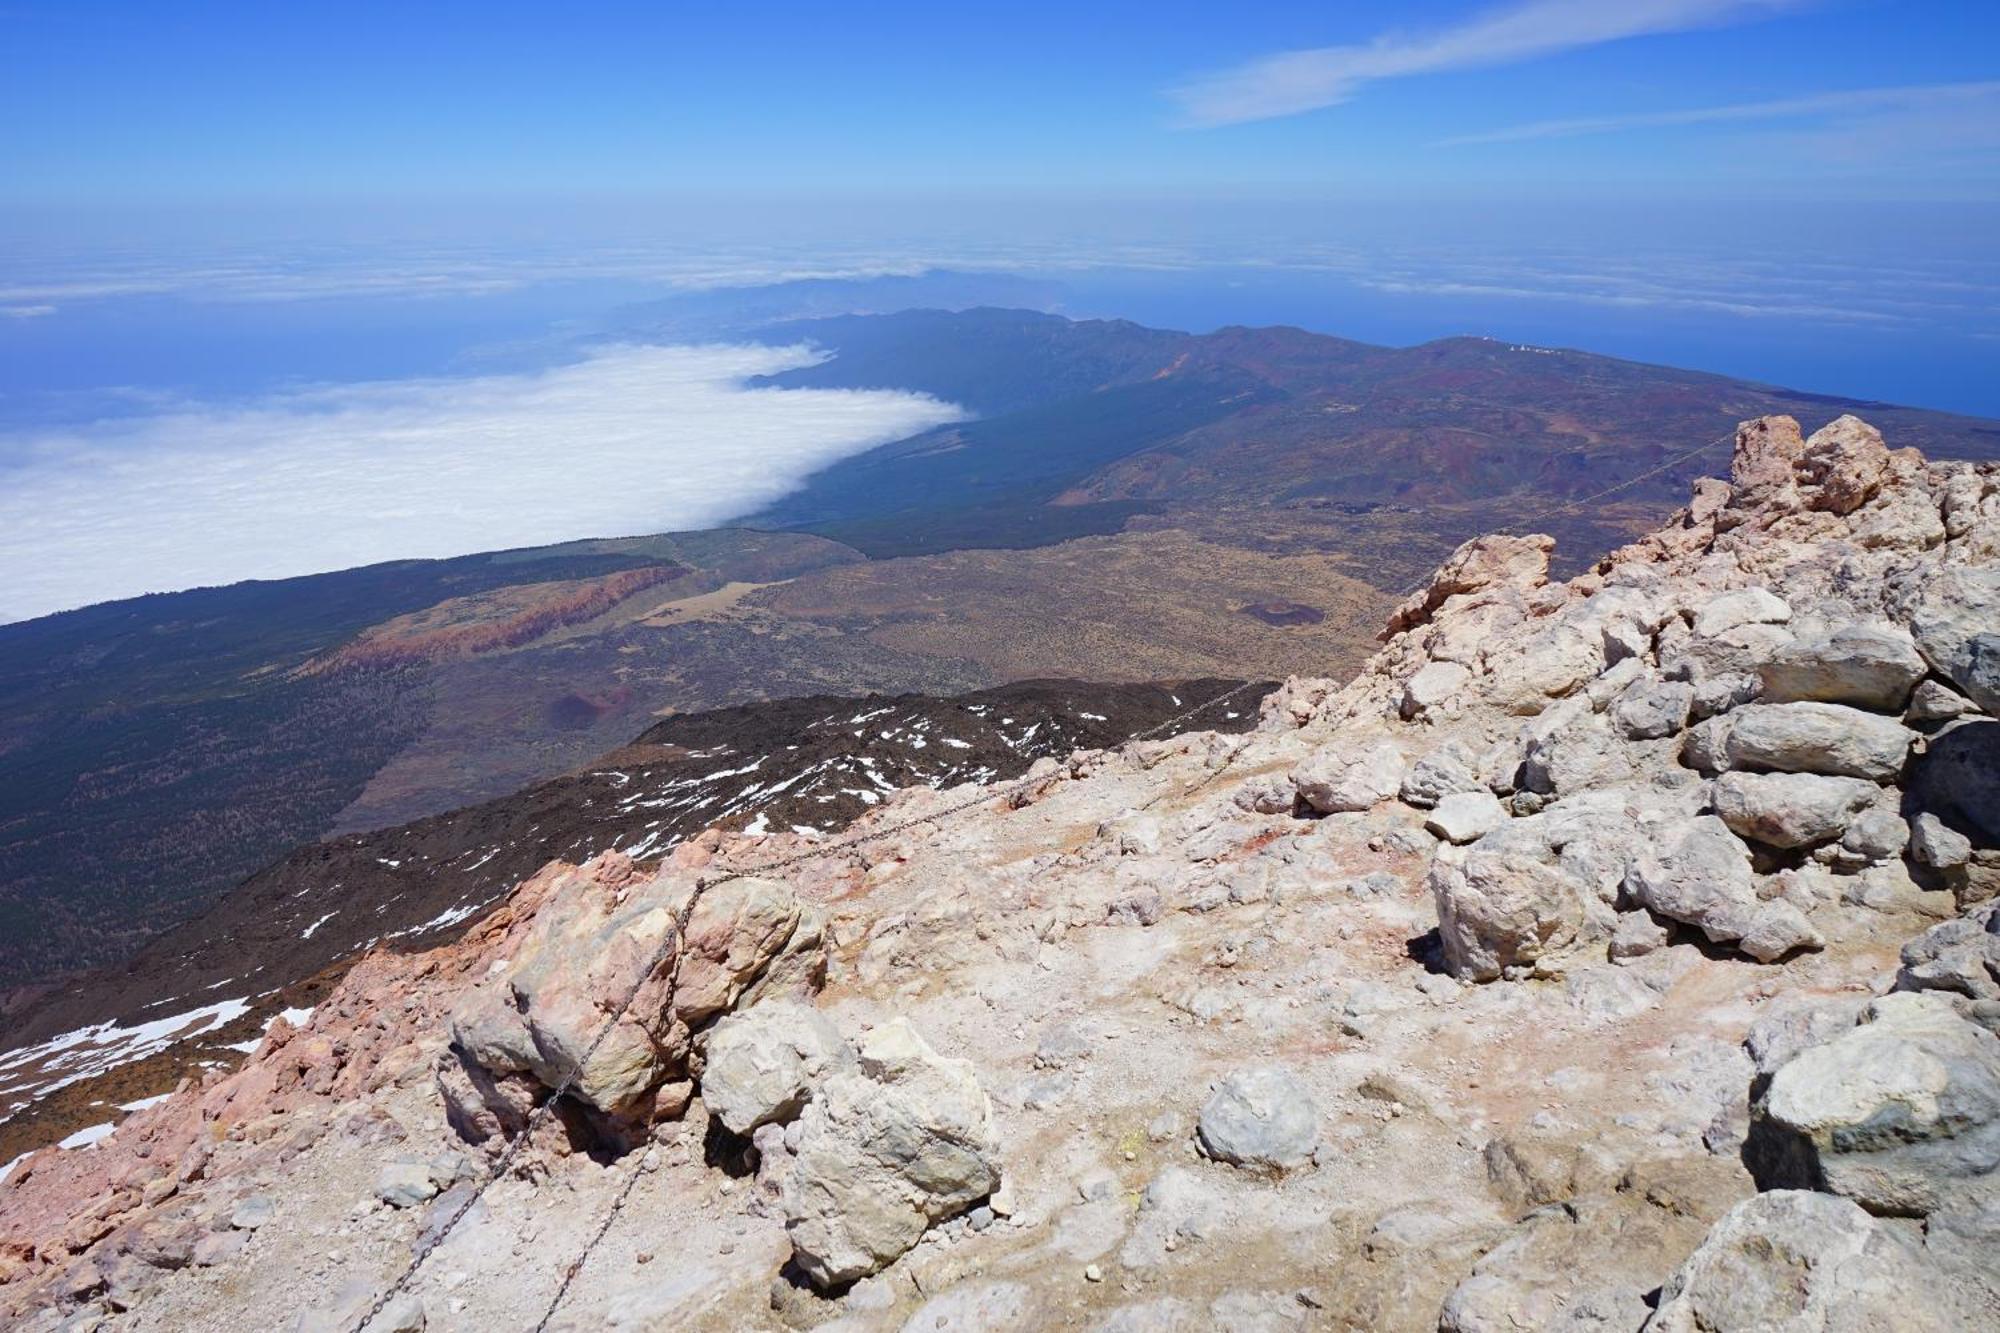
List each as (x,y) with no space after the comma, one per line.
(635,439)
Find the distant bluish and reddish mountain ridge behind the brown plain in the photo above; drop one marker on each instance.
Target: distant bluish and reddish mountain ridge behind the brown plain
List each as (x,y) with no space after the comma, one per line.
(1149,421)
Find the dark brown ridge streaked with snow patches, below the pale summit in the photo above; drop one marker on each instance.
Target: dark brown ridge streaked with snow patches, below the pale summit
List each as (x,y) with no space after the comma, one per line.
(287,934)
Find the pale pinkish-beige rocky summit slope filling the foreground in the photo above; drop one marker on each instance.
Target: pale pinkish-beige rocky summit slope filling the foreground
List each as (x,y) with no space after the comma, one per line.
(1615,954)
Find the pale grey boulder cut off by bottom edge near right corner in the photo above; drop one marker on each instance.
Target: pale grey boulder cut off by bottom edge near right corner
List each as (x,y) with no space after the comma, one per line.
(1799,1262)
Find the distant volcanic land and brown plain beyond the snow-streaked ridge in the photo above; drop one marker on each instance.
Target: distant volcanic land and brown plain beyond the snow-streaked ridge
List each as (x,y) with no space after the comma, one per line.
(1123,507)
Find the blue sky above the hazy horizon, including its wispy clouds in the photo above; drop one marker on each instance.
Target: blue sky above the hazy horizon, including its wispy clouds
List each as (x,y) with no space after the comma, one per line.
(149,105)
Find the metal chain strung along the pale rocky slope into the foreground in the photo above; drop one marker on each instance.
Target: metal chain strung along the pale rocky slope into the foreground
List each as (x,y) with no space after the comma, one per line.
(817,854)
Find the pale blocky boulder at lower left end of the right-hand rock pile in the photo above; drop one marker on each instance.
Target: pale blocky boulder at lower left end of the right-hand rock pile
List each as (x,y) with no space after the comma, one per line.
(1505,906)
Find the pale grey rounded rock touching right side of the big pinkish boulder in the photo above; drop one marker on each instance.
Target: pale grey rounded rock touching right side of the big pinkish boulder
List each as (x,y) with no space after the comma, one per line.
(765,1060)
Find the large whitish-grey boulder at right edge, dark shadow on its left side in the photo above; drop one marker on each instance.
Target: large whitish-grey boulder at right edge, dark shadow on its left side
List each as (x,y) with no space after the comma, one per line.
(1899,1114)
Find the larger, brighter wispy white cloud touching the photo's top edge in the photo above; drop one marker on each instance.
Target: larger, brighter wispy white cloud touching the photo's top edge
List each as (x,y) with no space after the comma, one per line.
(1301,81)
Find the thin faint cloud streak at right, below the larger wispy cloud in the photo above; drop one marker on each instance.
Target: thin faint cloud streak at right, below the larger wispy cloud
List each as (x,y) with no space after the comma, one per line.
(1857,109)
